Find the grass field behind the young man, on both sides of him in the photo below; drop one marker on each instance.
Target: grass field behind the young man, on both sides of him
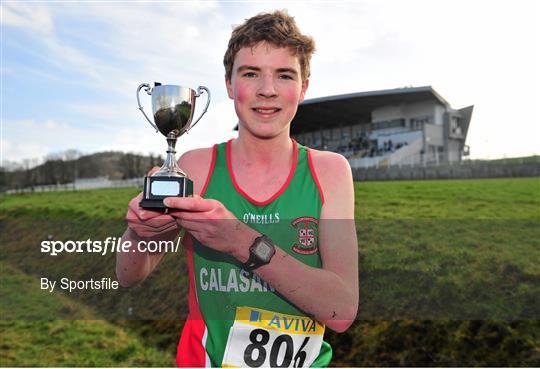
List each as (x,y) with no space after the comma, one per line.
(449,275)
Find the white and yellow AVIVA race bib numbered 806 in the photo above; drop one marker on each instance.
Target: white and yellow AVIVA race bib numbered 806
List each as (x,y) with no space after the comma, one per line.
(262,338)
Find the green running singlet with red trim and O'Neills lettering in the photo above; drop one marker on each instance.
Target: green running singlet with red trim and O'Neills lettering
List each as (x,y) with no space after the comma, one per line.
(235,318)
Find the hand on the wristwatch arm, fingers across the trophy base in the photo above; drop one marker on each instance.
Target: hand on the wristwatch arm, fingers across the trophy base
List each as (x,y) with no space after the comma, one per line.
(212,224)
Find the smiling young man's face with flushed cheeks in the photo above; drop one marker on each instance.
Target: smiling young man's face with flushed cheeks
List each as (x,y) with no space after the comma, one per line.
(266,86)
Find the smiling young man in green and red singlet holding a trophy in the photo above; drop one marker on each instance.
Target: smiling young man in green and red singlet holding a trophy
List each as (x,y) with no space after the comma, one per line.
(271,241)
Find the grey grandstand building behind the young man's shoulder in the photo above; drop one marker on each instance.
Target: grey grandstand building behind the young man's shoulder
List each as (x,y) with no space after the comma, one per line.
(403,126)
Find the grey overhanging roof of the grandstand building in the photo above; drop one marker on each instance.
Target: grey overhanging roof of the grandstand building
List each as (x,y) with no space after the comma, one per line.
(332,111)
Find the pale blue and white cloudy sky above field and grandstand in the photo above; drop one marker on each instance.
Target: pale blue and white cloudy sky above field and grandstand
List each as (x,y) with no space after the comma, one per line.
(70,70)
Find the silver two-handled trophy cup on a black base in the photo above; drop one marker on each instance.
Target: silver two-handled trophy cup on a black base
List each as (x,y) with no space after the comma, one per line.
(173,108)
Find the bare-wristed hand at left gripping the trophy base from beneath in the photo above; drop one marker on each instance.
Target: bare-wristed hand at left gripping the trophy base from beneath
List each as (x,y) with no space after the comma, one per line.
(148,223)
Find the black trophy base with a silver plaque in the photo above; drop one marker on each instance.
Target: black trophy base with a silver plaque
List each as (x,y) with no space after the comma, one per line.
(157,188)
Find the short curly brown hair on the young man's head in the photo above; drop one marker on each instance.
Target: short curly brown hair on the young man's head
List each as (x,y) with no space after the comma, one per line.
(277,28)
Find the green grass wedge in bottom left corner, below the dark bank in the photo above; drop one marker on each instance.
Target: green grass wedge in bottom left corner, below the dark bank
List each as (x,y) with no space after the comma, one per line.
(72,343)
